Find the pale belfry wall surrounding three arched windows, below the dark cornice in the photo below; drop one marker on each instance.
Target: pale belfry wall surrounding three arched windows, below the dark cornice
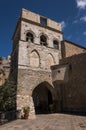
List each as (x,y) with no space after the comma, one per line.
(37,31)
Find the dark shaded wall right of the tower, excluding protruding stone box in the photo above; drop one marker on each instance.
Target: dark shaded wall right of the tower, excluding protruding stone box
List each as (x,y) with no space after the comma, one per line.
(74,97)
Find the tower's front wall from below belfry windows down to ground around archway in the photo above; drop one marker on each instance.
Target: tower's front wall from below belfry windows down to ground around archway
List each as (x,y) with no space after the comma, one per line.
(34,63)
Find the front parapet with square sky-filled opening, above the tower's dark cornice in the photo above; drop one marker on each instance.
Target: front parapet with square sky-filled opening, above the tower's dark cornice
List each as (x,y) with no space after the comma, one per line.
(40,20)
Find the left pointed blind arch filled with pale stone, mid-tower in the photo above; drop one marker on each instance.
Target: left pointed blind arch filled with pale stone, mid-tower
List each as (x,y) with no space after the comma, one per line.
(34,59)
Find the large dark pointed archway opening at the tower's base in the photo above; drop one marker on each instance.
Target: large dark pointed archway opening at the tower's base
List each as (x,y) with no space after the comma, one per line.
(42,98)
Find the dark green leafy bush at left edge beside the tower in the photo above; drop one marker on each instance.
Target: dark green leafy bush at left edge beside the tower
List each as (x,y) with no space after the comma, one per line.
(8,95)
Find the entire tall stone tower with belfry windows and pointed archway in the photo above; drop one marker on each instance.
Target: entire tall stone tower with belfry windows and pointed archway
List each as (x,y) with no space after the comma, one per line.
(36,46)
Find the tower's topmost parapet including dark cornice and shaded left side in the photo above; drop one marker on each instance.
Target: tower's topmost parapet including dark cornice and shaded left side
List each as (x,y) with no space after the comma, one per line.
(38,20)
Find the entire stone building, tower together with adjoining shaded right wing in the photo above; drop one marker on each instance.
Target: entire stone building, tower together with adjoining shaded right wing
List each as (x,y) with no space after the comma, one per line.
(38,45)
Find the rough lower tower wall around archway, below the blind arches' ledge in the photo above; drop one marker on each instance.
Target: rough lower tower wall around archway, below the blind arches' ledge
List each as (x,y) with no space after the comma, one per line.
(28,80)
